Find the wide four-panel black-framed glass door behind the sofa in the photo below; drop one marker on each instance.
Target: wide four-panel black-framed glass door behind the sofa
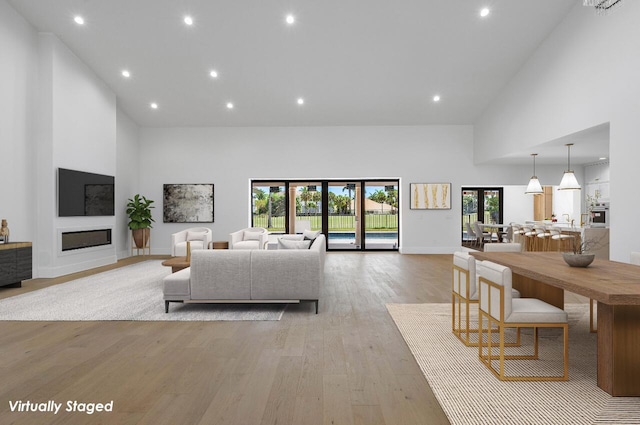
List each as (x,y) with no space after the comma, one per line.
(353,214)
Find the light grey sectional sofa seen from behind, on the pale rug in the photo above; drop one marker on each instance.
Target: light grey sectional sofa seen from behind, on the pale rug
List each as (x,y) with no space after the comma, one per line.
(251,276)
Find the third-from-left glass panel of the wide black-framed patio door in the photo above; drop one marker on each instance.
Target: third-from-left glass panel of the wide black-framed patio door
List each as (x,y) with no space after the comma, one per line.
(344,212)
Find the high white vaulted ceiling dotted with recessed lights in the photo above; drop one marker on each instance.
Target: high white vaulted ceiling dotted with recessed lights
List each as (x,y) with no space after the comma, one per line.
(355,62)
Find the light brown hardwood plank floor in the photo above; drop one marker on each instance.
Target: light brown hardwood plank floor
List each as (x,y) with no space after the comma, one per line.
(346,365)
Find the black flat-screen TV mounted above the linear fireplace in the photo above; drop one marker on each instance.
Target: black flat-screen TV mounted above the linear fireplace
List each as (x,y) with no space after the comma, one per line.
(84,194)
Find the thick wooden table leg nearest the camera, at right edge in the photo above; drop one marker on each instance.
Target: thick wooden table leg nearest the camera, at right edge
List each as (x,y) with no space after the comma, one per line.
(619,349)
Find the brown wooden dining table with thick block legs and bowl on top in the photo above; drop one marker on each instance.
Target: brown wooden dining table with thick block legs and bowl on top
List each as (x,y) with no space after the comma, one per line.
(616,288)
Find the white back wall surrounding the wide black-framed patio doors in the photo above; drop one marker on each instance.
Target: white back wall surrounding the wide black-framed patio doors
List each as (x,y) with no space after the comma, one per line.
(231,157)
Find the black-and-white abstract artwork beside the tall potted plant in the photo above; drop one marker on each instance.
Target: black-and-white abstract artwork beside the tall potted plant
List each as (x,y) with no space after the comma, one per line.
(188,203)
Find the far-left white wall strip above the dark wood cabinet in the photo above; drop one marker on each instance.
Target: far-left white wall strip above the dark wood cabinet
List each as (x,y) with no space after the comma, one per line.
(18,88)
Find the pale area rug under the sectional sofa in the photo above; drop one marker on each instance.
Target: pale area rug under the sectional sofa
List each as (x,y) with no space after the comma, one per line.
(128,293)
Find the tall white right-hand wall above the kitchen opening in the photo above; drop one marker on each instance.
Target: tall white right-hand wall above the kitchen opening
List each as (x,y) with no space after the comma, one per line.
(583,75)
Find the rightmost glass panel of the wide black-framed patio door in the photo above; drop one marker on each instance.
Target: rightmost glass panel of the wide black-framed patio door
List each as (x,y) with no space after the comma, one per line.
(381,215)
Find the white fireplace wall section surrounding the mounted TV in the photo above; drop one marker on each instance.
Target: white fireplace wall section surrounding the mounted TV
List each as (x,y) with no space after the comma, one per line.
(76,129)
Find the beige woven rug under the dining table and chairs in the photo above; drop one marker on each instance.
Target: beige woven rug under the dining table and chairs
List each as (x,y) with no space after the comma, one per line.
(470,394)
